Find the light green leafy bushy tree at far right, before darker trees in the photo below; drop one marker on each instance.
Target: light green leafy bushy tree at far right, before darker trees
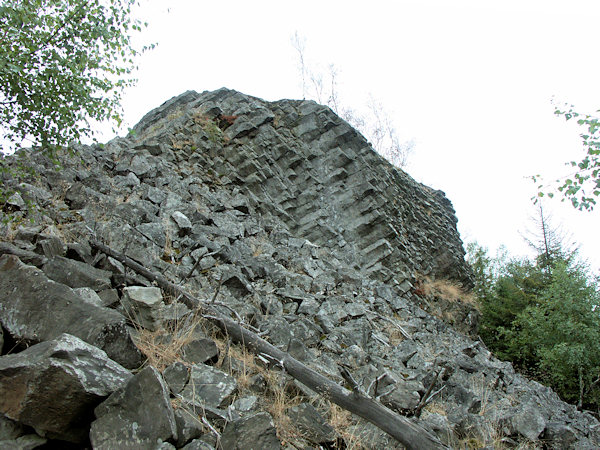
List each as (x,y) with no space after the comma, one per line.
(561,332)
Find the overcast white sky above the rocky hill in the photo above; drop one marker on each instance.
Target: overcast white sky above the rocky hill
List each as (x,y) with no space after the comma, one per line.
(470,81)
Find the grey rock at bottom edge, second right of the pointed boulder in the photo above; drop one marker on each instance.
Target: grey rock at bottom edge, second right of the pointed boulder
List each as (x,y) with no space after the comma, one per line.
(255,432)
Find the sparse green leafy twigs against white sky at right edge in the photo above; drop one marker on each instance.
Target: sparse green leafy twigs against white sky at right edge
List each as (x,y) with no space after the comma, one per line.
(582,187)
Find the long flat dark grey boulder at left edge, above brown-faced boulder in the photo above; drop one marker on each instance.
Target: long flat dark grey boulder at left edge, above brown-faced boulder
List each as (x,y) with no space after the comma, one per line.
(34,308)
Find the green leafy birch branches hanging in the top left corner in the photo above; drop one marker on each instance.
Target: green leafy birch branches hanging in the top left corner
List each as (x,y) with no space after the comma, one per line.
(62,64)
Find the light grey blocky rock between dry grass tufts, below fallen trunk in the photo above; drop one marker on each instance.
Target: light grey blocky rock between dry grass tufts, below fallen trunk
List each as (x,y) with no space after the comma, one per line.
(208,386)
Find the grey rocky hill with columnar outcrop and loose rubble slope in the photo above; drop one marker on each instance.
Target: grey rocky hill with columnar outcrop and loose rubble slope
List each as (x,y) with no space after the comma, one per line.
(281,216)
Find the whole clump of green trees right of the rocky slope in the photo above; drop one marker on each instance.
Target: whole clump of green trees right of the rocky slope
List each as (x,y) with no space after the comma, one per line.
(543,314)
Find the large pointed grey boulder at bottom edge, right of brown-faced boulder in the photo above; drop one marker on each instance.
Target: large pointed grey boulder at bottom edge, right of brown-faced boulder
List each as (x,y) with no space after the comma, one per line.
(138,415)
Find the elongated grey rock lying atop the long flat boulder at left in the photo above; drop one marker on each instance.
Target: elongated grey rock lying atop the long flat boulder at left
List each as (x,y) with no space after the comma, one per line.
(76,274)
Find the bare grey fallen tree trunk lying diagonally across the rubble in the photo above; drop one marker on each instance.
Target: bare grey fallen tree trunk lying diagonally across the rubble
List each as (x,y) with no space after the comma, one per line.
(407,433)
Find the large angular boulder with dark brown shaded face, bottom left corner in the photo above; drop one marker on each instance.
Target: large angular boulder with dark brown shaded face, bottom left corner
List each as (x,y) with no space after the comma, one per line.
(54,386)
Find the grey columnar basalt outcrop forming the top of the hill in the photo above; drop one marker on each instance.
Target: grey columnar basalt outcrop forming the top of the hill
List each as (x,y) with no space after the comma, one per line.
(299,161)
